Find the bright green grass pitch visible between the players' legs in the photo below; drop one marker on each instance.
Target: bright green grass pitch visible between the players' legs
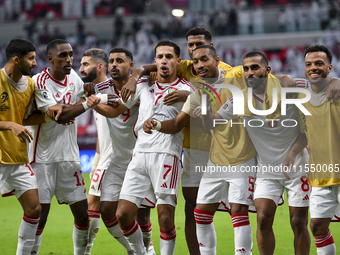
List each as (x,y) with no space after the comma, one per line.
(57,236)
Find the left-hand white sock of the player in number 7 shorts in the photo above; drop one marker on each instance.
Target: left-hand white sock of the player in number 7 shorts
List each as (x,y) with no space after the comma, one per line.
(134,235)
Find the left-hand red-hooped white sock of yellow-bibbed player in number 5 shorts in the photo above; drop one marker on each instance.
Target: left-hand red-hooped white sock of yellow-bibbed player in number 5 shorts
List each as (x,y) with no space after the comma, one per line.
(205,230)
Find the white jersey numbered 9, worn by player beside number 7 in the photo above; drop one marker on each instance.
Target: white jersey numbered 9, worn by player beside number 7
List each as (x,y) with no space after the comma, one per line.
(121,128)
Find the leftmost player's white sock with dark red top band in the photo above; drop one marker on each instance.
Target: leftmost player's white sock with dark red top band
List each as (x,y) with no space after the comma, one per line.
(26,234)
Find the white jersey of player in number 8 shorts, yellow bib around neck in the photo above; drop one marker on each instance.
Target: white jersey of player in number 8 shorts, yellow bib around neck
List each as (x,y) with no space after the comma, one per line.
(272,139)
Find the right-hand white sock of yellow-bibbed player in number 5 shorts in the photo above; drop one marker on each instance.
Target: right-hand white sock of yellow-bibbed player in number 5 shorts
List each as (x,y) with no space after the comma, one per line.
(243,237)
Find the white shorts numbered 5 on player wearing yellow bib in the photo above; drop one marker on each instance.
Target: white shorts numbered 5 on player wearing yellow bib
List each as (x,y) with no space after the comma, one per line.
(227,190)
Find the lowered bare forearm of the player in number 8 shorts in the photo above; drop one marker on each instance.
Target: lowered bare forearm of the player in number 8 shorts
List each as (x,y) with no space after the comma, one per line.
(299,144)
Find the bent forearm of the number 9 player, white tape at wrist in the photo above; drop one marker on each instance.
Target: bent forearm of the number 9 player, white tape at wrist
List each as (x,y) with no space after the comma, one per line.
(106,109)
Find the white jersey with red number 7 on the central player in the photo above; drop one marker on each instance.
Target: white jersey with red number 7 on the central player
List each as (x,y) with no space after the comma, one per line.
(151,106)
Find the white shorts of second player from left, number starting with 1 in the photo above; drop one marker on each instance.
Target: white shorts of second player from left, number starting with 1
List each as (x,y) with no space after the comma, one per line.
(62,179)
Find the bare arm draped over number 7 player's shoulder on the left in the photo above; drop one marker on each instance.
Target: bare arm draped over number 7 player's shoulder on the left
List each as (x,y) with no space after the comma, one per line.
(129,89)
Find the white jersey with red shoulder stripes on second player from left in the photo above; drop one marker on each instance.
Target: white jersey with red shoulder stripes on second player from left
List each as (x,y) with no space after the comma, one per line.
(54,142)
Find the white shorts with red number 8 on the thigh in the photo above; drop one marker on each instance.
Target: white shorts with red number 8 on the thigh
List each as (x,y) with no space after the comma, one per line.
(298,190)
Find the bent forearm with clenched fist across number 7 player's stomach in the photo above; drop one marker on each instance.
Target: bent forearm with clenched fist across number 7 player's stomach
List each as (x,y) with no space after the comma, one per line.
(169,126)
